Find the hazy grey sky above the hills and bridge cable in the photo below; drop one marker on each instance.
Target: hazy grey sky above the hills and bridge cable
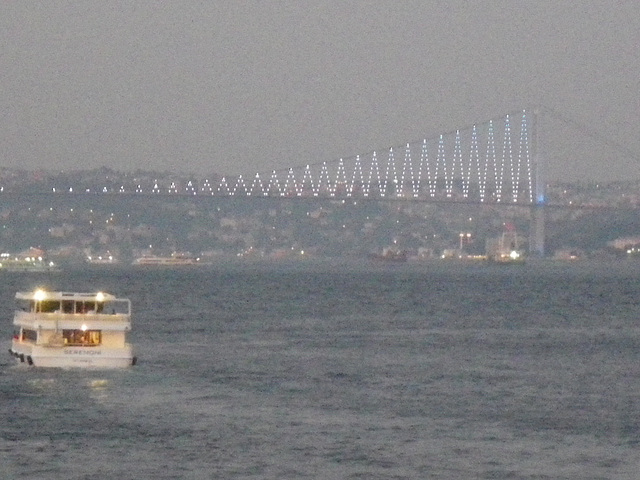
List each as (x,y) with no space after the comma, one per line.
(237,87)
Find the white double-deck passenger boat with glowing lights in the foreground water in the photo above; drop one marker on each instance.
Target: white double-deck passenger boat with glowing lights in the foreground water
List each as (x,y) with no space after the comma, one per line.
(65,329)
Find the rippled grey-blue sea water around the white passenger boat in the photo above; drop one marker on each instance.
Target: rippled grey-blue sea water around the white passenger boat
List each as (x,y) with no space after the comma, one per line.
(340,370)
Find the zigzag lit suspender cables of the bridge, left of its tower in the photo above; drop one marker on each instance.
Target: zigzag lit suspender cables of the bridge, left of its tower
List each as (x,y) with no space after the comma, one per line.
(490,162)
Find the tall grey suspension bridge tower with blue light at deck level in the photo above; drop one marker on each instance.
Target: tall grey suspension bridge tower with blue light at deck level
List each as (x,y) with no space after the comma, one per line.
(536,229)
